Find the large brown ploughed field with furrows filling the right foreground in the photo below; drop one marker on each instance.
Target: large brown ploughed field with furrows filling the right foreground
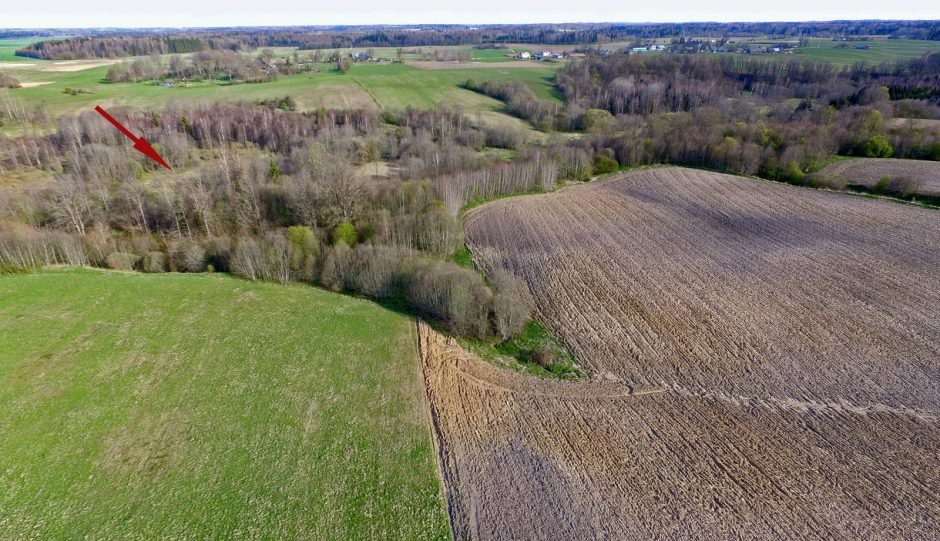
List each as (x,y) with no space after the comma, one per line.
(765,363)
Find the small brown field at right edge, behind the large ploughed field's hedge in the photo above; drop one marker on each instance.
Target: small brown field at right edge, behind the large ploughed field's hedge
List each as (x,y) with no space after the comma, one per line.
(868,171)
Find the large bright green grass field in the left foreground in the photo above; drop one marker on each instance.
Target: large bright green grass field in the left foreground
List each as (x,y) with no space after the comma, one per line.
(202,406)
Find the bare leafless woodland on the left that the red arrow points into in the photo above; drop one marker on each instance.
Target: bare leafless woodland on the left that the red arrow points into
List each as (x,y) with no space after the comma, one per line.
(275,195)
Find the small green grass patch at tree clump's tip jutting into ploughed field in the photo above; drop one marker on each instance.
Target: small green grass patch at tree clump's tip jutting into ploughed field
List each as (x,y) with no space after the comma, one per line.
(516,353)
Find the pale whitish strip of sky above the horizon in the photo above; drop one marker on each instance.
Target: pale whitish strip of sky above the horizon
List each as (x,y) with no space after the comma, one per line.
(188,13)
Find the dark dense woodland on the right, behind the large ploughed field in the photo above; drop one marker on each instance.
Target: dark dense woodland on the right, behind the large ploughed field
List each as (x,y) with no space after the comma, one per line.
(778,120)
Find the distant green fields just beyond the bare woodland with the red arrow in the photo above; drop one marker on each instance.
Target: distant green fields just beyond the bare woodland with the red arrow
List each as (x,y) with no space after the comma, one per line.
(394,86)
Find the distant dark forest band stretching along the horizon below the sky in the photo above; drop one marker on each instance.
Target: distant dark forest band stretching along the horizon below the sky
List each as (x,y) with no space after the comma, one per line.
(116,43)
